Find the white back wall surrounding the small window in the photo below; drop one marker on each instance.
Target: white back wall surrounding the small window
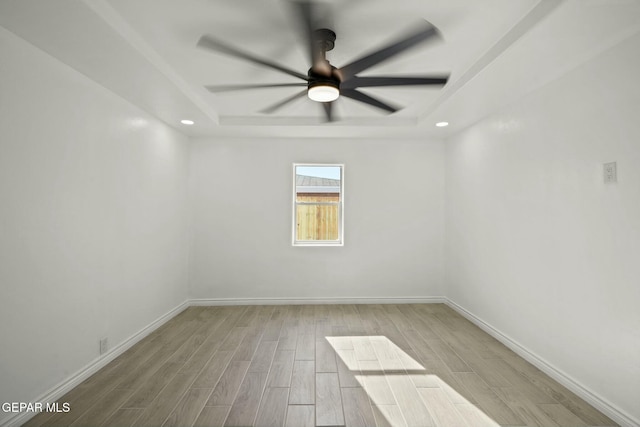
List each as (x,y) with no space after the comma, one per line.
(241,196)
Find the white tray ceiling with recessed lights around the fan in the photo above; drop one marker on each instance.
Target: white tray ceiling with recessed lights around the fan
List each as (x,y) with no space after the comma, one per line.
(145,50)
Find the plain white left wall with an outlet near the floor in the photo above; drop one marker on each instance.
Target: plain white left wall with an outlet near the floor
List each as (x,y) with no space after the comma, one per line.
(93,220)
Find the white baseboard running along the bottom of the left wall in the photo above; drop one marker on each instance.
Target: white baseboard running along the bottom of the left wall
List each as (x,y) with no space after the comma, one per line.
(75,379)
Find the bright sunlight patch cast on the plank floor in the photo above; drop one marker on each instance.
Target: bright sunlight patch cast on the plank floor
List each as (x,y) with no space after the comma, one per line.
(401,391)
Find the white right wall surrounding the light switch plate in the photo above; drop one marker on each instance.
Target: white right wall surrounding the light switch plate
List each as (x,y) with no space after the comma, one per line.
(537,245)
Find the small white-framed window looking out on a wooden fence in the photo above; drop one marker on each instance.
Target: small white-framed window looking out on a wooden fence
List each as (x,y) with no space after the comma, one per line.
(318,204)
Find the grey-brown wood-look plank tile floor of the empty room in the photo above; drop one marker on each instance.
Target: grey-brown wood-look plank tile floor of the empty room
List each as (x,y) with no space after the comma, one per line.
(325,365)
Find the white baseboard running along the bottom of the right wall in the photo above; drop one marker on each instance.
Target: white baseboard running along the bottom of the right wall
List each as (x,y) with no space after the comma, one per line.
(604,406)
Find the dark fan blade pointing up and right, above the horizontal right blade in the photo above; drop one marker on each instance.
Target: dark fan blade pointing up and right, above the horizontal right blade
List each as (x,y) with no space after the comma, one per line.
(423,32)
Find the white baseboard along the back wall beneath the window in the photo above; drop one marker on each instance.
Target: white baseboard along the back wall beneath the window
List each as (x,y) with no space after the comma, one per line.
(318,300)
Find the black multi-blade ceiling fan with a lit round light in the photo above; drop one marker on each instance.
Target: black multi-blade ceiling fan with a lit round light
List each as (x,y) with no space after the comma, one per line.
(325,83)
